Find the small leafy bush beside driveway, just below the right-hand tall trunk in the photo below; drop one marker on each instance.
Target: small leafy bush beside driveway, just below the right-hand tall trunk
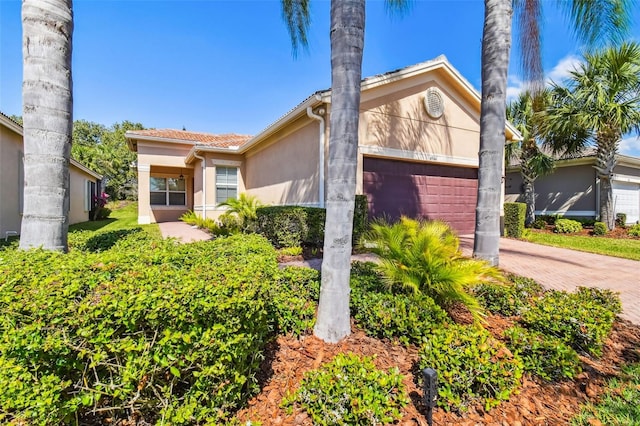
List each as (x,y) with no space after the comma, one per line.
(510,298)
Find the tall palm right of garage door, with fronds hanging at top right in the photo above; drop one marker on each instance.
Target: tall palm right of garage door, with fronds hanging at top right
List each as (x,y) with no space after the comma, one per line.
(593,22)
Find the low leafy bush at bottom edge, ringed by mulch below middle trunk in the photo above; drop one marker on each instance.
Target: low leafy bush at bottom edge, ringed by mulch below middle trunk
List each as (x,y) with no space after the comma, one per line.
(351,391)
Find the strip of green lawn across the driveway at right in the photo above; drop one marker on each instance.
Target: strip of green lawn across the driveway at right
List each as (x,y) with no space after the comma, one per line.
(625,248)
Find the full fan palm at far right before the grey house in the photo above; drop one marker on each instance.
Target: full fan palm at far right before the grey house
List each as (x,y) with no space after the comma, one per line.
(599,105)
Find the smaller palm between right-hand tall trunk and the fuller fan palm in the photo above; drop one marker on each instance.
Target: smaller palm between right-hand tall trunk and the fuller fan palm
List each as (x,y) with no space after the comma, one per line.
(532,160)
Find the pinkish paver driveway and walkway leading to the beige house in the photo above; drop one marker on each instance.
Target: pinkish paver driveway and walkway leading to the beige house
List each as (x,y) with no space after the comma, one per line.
(552,267)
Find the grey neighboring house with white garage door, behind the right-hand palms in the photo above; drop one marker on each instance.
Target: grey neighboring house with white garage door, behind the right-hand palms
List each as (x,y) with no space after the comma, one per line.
(572,189)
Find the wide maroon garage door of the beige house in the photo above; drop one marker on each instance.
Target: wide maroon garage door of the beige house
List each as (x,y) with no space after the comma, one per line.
(419,190)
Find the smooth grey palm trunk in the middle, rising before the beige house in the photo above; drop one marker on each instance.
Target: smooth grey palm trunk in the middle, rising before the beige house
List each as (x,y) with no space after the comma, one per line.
(347,43)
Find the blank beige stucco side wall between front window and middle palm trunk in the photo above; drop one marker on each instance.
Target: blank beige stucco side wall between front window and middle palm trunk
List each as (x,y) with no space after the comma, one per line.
(284,169)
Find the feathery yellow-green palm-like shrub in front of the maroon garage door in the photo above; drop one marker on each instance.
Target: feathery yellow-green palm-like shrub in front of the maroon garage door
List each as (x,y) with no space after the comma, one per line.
(425,258)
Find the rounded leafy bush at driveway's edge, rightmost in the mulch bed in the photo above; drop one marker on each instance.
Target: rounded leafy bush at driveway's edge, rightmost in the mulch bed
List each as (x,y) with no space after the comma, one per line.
(575,318)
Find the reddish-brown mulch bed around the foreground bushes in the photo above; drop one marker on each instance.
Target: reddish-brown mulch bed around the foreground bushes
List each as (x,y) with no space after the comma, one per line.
(537,403)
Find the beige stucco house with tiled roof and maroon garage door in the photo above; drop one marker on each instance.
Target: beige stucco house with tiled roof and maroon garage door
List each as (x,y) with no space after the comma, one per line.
(417,154)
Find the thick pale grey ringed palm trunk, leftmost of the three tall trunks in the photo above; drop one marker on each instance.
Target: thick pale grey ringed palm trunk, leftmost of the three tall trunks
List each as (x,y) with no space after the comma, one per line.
(47,28)
